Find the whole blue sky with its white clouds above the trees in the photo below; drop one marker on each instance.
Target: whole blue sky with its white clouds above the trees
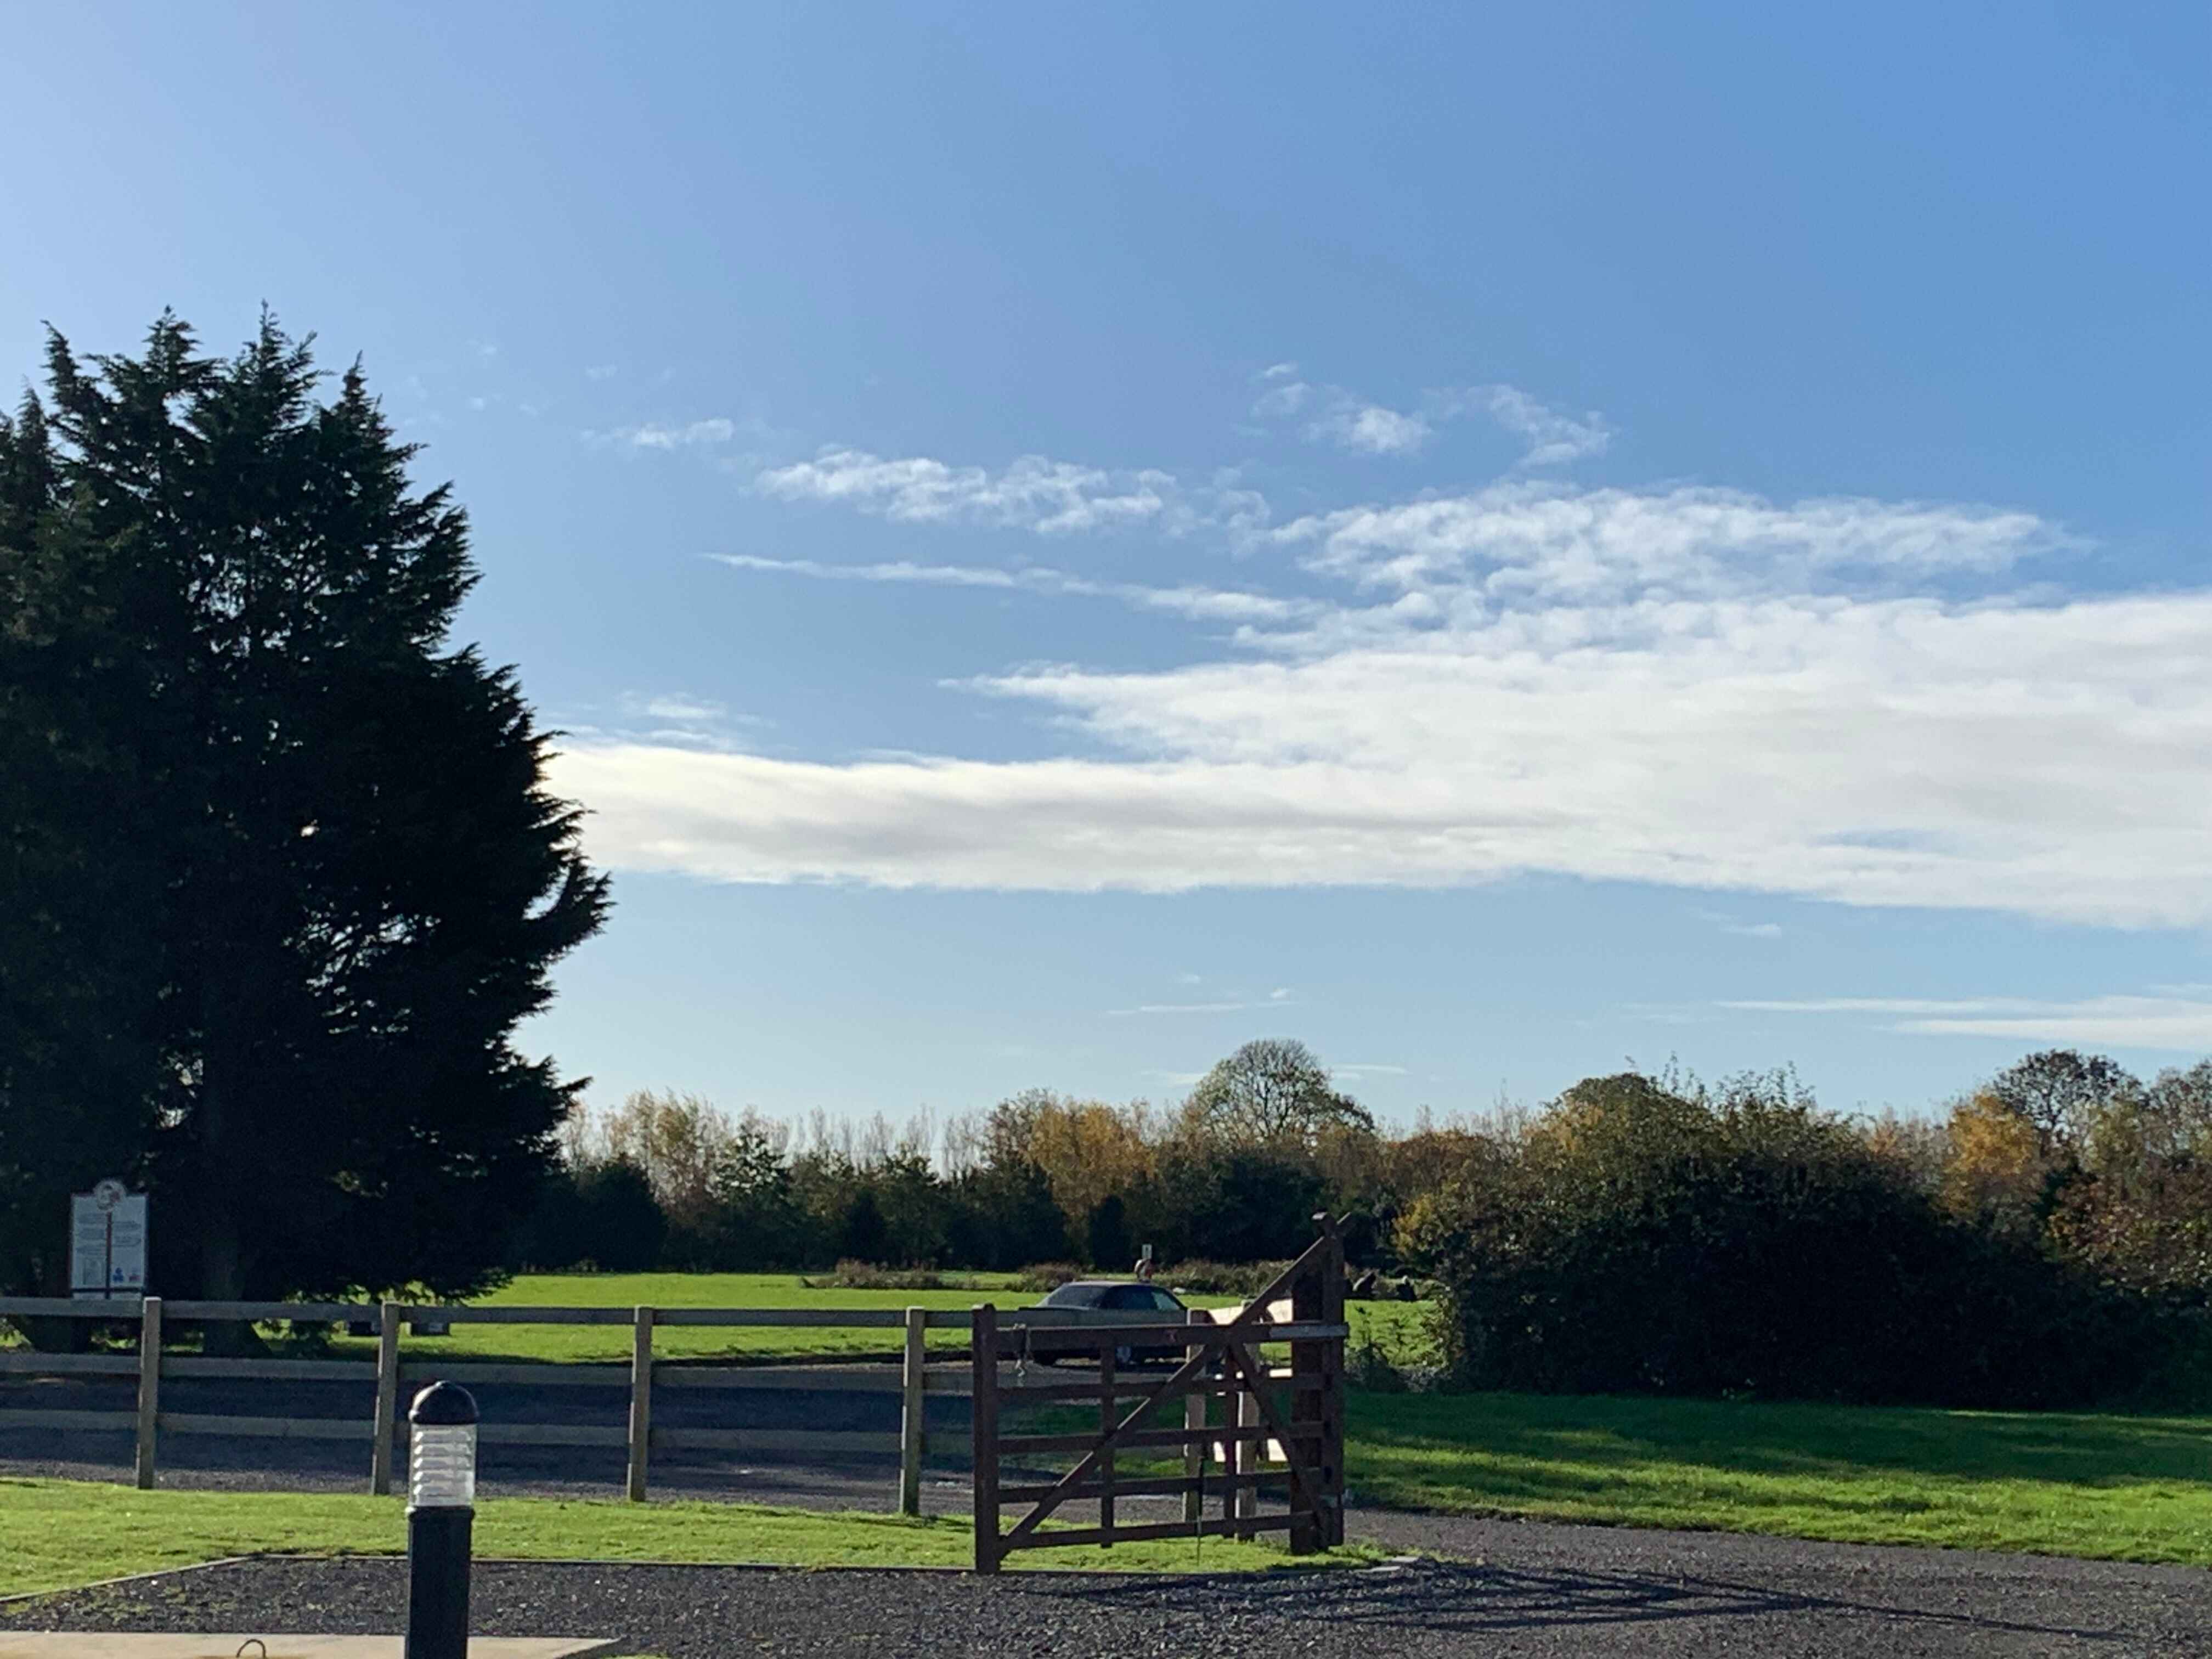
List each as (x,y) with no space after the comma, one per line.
(1492,541)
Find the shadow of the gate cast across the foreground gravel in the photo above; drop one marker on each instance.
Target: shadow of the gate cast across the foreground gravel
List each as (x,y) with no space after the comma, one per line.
(1472,1600)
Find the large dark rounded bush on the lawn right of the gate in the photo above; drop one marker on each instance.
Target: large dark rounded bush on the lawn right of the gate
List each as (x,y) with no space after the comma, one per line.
(1636,1240)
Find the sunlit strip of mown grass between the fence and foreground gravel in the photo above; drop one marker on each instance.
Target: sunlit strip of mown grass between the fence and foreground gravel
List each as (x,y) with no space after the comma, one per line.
(59,1532)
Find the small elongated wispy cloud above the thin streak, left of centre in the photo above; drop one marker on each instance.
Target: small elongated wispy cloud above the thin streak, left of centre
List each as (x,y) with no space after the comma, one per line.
(1034,494)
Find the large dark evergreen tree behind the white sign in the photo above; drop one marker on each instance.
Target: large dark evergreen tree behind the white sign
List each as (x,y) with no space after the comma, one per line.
(282,873)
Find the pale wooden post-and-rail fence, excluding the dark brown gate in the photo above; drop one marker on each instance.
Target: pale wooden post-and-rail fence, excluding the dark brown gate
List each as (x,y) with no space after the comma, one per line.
(645,1375)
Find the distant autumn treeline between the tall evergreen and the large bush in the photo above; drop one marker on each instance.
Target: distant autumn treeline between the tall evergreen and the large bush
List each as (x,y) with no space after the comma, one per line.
(1233,1173)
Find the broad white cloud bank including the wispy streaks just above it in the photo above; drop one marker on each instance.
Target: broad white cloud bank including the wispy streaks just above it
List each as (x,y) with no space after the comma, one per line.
(1682,687)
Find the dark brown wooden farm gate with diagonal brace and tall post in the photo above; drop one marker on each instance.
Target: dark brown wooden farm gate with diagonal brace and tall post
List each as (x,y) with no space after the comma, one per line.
(1253,1437)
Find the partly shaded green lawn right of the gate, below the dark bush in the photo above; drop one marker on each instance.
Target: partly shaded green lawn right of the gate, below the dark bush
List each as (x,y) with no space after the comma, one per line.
(2116,1488)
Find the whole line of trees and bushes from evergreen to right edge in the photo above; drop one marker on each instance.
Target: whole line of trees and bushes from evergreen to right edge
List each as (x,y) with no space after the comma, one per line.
(2047,1240)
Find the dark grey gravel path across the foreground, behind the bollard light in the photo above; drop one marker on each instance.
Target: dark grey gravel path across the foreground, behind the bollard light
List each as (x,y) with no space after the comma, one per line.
(1519,1589)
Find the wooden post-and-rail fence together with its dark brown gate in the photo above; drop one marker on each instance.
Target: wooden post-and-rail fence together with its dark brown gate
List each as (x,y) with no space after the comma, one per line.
(1218,1361)
